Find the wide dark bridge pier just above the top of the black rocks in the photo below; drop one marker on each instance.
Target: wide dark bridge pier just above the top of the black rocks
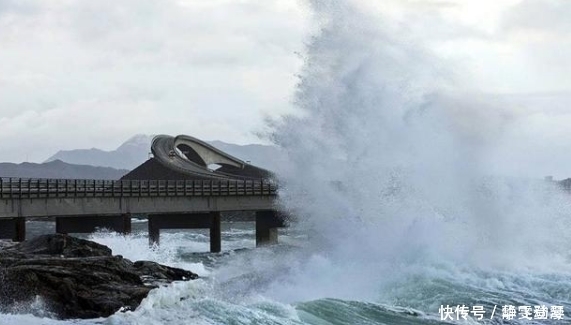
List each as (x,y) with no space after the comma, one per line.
(88,224)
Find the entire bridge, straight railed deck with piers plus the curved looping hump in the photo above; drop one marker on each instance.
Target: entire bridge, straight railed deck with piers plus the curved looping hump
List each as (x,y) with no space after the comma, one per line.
(186,193)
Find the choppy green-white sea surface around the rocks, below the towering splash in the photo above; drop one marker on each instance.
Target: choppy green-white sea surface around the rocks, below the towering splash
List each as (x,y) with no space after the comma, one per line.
(289,284)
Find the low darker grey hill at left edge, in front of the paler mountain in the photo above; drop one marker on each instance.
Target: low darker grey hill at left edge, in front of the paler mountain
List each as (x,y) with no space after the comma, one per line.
(59,169)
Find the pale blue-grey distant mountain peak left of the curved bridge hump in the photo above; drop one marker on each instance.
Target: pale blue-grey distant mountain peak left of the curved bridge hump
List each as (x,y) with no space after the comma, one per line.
(129,155)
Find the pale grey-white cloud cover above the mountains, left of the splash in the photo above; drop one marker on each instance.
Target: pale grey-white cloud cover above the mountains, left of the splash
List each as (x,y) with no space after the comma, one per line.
(93,73)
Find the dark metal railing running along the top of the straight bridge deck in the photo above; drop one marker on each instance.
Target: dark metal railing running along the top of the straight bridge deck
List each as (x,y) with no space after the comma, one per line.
(24,188)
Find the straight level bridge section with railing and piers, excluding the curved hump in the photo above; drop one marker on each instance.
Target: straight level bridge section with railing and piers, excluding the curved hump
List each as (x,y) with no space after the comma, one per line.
(84,205)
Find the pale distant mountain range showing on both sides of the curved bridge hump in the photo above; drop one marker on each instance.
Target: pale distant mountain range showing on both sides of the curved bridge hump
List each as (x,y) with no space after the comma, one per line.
(135,151)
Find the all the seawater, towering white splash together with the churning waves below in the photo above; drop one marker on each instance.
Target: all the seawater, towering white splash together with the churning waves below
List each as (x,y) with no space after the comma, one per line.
(398,209)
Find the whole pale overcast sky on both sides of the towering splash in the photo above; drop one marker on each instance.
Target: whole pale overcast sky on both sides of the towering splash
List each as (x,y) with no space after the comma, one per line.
(82,74)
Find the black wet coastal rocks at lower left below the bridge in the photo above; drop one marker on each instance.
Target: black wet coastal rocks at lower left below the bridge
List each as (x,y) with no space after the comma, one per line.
(77,278)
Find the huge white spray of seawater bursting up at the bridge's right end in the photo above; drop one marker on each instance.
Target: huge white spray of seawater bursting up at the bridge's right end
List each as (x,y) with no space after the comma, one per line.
(387,170)
